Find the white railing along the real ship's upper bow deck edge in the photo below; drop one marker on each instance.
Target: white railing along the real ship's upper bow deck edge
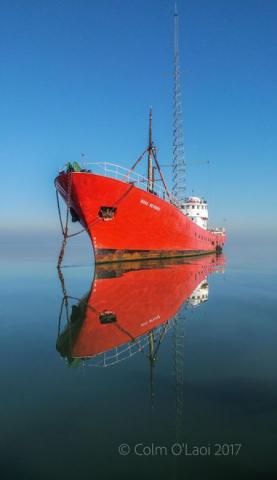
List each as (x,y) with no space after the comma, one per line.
(129,176)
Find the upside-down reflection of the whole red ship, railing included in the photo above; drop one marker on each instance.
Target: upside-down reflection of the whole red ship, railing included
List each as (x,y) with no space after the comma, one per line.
(130,307)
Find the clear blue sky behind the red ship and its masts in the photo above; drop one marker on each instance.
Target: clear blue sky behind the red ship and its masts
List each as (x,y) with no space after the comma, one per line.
(79,77)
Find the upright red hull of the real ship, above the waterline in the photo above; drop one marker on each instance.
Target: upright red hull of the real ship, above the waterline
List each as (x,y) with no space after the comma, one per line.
(143,224)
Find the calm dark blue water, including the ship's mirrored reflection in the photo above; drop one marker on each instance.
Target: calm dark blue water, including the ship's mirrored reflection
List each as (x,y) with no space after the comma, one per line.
(202,381)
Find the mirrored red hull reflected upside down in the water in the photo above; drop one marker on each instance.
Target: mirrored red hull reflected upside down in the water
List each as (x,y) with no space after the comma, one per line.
(141,299)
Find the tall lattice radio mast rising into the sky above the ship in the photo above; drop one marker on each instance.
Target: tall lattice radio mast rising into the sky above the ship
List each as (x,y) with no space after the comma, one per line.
(179,164)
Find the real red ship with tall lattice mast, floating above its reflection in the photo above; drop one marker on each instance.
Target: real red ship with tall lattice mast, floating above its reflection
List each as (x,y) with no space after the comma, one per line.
(128,216)
